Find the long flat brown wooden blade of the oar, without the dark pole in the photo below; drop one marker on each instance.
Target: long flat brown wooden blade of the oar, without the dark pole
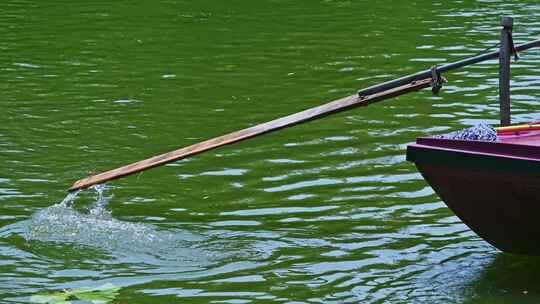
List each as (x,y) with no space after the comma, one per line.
(280,123)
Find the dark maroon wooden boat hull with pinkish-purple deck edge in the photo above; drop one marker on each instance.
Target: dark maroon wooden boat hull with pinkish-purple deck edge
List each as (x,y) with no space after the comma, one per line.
(493,187)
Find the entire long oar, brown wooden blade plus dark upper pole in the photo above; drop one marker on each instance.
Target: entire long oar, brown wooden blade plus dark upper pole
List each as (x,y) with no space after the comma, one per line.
(369,95)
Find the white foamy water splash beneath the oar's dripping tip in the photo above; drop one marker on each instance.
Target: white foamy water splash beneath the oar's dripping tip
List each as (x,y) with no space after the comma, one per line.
(61,223)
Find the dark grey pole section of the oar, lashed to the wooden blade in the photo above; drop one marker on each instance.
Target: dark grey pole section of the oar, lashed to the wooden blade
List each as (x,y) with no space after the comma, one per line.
(441,69)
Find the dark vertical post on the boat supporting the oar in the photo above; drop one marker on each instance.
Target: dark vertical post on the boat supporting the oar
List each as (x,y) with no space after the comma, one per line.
(504,70)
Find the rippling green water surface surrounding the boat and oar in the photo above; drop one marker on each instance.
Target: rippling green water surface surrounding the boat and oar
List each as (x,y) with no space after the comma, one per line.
(326,212)
